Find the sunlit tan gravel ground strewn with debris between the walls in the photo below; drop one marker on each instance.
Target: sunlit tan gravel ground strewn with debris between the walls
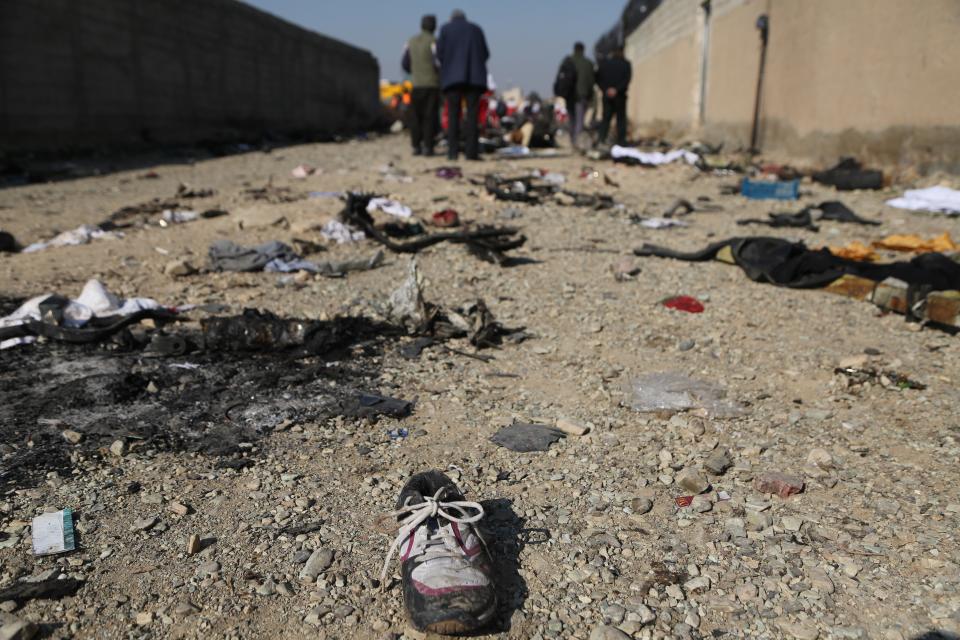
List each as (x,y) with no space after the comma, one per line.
(587,537)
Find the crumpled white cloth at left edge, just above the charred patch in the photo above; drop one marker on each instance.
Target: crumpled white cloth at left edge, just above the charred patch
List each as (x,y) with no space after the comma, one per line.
(94,301)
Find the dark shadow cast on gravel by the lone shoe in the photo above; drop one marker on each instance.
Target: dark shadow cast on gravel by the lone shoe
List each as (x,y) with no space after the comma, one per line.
(505,535)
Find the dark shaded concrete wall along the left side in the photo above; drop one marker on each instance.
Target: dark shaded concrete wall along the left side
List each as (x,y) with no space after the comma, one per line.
(106,72)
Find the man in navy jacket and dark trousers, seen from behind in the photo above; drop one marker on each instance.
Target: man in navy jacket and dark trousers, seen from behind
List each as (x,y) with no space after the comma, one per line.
(463,54)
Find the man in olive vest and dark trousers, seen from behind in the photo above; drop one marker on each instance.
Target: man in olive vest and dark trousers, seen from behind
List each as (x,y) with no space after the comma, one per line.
(419,60)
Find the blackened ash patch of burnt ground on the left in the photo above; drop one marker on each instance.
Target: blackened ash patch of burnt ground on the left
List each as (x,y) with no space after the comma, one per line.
(216,403)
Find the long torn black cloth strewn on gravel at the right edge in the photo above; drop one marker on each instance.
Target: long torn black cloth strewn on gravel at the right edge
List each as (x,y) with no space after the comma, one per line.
(792,264)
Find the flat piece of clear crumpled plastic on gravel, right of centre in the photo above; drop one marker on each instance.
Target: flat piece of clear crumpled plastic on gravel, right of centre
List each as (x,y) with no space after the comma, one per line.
(673,392)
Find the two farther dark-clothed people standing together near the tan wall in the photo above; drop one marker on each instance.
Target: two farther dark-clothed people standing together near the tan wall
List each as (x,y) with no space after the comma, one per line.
(575,81)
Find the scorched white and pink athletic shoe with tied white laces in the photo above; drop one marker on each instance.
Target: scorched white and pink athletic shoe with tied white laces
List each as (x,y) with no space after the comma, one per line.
(445,566)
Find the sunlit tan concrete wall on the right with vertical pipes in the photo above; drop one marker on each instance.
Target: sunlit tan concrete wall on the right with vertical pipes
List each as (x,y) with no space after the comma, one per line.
(878,79)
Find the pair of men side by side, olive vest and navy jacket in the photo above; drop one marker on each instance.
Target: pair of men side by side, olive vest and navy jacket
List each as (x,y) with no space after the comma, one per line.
(454,64)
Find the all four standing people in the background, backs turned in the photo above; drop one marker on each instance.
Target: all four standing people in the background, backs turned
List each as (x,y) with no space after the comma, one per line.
(453,66)
